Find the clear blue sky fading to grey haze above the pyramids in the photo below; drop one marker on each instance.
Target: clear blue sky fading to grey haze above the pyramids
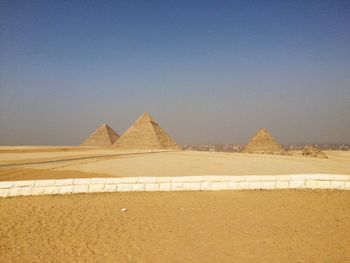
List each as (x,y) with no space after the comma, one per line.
(207,71)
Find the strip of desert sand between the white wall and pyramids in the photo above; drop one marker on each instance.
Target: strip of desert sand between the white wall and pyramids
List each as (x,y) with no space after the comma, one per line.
(53,162)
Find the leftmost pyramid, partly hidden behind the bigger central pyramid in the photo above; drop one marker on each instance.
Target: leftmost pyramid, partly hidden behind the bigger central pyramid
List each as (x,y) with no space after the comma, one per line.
(104,136)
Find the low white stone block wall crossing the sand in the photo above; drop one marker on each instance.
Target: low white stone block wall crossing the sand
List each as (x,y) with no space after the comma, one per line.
(176,183)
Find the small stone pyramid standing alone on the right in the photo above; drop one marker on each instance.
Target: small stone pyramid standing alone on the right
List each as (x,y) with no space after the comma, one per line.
(263,142)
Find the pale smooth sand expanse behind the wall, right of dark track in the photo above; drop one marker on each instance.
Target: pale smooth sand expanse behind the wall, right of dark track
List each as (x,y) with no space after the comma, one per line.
(204,163)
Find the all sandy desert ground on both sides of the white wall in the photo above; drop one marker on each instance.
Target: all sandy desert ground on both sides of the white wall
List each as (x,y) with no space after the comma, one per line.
(224,226)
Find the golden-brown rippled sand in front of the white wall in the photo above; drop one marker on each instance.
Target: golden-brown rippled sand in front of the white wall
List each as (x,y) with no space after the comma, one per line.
(228,226)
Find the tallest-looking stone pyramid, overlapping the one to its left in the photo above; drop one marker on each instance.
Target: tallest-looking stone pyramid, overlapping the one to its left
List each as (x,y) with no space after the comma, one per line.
(146,134)
